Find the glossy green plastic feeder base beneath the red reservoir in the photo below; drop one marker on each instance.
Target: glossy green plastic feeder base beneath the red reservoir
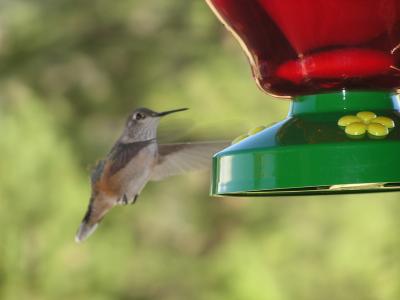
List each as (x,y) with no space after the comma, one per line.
(309,153)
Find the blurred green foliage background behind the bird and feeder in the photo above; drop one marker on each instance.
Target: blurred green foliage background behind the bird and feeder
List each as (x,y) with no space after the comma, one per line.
(70,72)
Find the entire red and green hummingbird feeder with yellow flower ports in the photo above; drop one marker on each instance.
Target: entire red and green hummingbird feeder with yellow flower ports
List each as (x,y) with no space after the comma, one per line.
(338,61)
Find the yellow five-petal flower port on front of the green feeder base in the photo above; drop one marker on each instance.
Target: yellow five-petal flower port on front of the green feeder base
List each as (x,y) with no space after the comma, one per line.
(357,126)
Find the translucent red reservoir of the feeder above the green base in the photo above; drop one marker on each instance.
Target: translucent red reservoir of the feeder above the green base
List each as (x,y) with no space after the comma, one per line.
(299,47)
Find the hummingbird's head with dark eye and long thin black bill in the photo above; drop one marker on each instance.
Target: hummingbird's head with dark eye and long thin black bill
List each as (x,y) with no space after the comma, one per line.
(142,124)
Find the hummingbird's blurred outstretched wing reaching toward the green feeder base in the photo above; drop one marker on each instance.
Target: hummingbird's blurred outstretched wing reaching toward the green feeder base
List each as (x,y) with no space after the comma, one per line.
(175,159)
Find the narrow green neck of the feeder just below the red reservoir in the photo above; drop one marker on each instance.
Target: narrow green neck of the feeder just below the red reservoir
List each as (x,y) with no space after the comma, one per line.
(345,101)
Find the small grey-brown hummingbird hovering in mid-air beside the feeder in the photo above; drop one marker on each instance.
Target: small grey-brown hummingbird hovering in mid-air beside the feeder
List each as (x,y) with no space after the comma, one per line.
(135,159)
